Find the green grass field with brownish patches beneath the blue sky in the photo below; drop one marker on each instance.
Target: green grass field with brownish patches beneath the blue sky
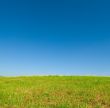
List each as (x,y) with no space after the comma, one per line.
(55,92)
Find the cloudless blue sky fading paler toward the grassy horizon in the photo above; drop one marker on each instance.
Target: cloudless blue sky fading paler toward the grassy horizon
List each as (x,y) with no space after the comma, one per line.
(66,37)
